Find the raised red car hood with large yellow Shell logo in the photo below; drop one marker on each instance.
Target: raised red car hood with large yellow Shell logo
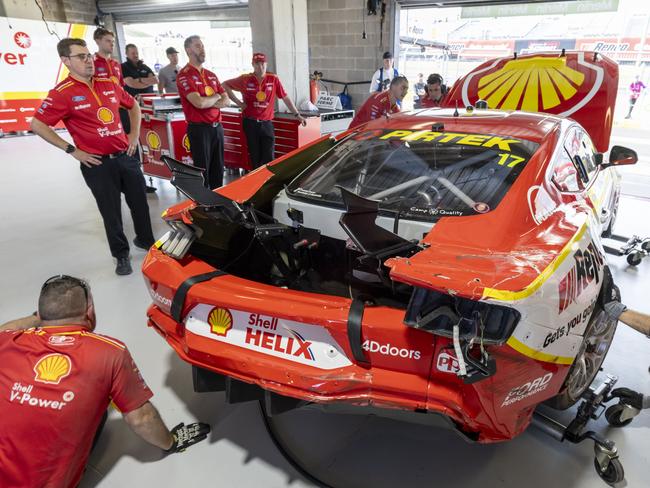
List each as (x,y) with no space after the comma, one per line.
(581,85)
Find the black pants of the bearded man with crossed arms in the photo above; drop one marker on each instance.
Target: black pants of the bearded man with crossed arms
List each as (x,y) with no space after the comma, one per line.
(206,145)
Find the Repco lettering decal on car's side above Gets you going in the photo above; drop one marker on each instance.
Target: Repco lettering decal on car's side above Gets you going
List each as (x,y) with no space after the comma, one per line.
(586,269)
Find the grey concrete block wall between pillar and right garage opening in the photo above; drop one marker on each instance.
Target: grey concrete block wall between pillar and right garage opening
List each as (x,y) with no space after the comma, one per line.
(336,46)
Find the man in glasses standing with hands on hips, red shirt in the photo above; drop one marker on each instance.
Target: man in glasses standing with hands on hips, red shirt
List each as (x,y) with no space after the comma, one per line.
(88,107)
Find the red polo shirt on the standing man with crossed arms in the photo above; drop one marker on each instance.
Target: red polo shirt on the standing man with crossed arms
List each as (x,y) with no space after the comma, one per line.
(203,82)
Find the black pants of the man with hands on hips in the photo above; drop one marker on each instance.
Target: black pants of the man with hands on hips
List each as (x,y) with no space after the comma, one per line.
(107,181)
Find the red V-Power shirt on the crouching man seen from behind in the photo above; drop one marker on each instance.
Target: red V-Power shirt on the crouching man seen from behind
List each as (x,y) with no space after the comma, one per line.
(56,383)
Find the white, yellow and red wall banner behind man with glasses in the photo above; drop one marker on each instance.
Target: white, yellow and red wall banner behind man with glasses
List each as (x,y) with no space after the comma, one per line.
(30,66)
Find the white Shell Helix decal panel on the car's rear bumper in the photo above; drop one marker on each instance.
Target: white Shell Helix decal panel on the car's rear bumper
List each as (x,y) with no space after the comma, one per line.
(297,342)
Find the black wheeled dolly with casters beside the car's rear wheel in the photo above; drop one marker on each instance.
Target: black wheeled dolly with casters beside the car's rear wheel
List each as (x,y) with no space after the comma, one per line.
(606,461)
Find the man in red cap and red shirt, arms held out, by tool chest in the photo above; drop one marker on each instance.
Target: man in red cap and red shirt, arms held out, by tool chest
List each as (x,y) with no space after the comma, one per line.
(259,90)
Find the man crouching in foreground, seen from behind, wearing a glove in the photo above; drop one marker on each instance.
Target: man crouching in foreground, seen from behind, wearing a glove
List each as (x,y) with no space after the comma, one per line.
(59,379)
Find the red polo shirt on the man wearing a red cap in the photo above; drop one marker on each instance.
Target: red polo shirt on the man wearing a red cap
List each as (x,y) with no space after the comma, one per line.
(259,96)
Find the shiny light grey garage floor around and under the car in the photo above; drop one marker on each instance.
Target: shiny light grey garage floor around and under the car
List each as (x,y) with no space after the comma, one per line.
(50,225)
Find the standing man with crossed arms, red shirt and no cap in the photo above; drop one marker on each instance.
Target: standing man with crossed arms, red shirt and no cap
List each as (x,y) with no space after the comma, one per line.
(202,97)
